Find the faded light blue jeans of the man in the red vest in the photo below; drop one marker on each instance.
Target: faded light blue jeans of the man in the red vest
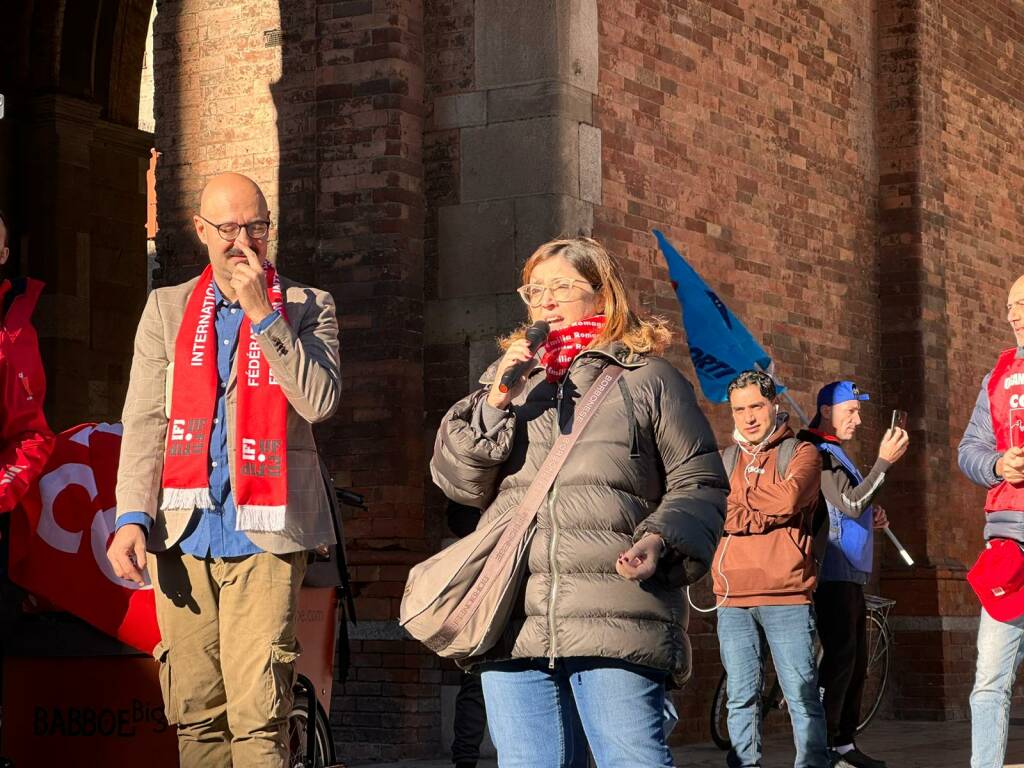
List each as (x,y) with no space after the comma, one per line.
(1001,648)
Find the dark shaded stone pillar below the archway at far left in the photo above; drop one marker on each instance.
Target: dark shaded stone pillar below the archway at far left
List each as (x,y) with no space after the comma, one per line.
(86,212)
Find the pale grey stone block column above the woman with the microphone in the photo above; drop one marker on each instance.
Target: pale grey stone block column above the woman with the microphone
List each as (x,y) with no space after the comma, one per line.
(530,164)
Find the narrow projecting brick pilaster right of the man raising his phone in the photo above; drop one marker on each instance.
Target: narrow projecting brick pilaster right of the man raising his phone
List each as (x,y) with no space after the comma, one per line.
(912,293)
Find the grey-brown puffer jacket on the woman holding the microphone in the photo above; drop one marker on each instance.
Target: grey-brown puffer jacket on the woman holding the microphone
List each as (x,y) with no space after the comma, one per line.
(648,462)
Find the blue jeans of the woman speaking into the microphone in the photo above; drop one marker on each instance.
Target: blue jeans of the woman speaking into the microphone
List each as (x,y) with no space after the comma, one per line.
(543,718)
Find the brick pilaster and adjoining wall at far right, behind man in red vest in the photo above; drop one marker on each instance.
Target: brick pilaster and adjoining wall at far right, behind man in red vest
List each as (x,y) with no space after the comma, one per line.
(956,102)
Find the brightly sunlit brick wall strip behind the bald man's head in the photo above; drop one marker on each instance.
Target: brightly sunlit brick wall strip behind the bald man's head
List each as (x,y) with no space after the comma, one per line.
(214,113)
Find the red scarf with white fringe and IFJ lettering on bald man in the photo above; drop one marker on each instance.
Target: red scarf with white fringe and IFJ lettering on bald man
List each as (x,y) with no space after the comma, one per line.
(261,485)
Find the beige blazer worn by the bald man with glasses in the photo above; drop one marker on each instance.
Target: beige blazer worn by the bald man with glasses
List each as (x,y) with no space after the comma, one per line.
(304,356)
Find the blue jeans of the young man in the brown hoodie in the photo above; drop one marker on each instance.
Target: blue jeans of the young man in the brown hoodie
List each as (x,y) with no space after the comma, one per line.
(789,632)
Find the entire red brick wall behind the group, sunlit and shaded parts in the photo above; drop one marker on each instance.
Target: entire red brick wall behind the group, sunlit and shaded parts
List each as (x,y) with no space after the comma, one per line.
(844,176)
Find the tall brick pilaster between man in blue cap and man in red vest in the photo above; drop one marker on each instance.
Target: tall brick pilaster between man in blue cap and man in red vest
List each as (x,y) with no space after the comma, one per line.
(934,620)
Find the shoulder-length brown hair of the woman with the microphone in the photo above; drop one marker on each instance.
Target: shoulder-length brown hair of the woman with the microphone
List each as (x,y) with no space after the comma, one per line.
(642,335)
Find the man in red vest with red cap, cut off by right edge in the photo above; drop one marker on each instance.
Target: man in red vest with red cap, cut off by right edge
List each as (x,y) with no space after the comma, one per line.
(992,455)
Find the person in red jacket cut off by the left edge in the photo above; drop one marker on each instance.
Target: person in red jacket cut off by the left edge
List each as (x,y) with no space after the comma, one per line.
(26,440)
